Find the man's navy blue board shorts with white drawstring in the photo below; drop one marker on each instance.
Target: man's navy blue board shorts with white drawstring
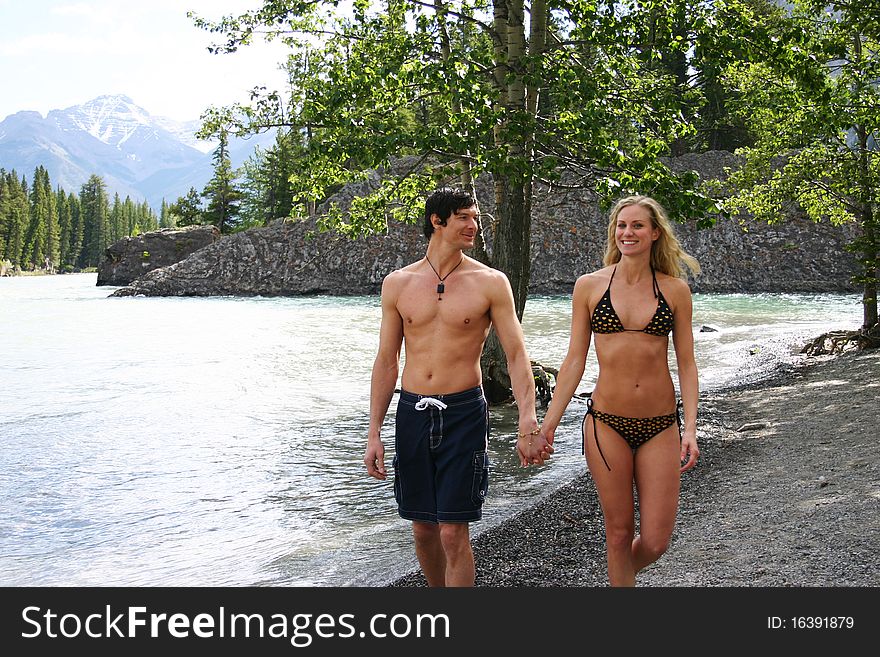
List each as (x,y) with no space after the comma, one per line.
(441,462)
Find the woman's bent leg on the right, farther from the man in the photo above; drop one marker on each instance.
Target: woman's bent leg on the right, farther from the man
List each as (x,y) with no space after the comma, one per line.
(657,483)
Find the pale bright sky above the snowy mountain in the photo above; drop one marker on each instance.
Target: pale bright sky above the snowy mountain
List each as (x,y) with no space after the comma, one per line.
(59,53)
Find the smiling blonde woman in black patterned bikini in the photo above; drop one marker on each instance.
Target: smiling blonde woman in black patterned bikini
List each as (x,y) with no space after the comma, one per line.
(631,433)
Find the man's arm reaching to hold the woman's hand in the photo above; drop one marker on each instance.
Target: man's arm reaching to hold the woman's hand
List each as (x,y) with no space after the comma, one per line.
(530,445)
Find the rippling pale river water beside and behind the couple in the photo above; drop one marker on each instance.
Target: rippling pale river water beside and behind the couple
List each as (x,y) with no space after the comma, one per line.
(218,441)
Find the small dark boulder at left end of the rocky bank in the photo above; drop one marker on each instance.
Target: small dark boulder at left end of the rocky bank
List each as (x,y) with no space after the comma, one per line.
(132,257)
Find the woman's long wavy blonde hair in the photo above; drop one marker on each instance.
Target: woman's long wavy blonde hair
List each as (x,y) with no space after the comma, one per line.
(667,256)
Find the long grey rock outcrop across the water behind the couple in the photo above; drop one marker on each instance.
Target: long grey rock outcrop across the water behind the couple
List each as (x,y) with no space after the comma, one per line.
(568,239)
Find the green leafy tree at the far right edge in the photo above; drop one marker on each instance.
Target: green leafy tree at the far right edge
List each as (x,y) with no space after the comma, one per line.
(810,91)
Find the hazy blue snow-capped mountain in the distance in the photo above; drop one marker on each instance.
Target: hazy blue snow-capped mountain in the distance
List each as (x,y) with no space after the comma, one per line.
(138,155)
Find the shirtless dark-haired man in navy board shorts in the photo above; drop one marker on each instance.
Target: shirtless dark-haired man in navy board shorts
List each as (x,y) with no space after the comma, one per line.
(442,307)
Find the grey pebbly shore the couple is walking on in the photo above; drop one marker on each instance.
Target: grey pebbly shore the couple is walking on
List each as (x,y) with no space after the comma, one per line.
(786,493)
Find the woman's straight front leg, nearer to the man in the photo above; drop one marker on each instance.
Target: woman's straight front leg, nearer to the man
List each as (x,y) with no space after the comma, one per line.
(615,488)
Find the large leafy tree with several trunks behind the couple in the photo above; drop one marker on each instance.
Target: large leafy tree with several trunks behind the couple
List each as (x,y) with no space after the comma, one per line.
(469,89)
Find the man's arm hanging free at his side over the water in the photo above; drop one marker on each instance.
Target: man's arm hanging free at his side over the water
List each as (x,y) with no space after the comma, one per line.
(384,377)
